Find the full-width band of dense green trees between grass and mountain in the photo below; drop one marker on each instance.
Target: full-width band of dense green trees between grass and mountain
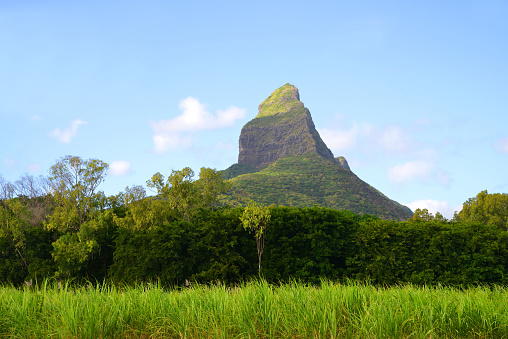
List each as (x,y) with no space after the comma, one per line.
(63,227)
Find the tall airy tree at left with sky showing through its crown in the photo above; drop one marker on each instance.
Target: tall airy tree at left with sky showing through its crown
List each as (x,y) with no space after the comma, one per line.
(74,184)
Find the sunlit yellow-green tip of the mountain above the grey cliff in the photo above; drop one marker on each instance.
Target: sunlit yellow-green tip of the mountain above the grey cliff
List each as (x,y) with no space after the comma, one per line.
(282,100)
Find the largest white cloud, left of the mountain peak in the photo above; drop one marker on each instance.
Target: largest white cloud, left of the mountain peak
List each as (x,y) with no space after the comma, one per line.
(174,133)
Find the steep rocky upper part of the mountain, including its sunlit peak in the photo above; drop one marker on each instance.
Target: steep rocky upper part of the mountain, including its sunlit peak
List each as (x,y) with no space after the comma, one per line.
(282,128)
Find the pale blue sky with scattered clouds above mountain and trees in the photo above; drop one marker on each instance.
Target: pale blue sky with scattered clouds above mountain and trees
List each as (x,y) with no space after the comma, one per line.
(414,95)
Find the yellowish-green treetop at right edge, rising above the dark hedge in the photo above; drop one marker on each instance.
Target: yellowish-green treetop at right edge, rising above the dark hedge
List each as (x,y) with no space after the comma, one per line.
(488,209)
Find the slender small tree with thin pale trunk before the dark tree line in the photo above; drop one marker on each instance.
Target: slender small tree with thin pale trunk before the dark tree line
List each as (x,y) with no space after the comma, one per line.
(256,218)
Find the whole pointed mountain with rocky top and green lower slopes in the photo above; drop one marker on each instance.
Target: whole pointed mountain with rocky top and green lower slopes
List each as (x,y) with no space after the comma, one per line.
(283,160)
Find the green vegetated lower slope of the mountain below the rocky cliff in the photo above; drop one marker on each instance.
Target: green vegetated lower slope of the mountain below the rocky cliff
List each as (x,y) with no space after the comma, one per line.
(310,180)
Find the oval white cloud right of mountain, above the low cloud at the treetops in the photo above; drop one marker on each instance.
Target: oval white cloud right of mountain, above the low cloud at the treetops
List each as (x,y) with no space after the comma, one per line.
(421,170)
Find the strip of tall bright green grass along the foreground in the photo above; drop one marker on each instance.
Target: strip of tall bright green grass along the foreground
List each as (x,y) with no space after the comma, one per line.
(253,310)
